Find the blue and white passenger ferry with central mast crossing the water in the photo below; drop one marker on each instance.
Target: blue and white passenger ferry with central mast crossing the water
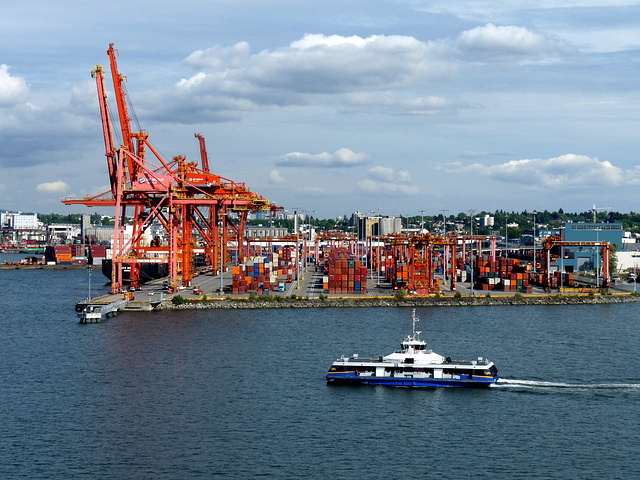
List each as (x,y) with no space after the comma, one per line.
(413,365)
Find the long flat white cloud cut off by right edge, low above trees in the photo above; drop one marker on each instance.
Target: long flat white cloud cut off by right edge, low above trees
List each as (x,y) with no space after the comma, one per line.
(566,172)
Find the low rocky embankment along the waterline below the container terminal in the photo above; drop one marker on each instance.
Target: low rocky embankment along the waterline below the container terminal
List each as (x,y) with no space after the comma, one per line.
(395,302)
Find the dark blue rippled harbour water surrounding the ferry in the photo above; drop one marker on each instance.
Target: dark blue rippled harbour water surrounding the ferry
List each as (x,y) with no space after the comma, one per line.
(241,394)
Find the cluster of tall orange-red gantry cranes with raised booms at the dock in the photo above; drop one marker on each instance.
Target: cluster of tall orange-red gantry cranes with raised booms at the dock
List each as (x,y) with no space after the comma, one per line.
(192,204)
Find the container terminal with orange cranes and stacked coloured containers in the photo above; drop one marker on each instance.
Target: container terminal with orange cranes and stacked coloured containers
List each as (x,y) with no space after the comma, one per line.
(204,248)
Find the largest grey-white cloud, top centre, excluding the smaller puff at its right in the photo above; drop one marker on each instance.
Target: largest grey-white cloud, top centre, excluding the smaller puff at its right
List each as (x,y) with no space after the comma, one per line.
(332,69)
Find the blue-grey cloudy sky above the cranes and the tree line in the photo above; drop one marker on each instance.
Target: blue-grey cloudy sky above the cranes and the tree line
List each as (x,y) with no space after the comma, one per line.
(334,106)
